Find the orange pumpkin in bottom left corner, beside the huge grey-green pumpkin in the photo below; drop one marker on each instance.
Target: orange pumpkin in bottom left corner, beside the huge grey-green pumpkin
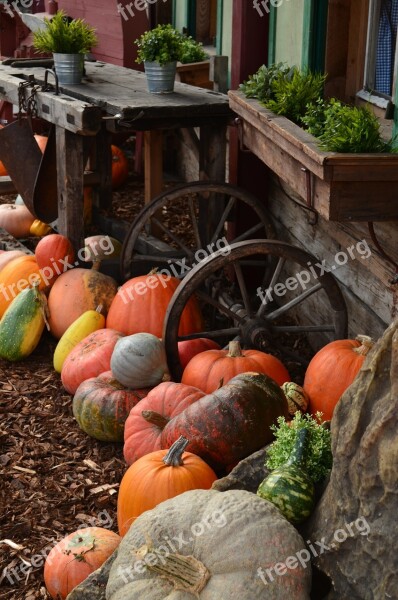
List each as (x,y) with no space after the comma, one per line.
(75,557)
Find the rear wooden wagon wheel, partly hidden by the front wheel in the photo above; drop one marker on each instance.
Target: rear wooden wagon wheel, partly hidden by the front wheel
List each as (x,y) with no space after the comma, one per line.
(208,213)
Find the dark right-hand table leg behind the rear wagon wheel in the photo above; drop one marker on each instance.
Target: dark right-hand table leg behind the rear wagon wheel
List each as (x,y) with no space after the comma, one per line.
(212,164)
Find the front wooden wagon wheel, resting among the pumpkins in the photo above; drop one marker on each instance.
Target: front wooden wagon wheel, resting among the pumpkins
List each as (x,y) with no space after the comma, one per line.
(236,309)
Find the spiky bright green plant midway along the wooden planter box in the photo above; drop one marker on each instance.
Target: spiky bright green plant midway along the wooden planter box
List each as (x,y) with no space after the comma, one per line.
(292,92)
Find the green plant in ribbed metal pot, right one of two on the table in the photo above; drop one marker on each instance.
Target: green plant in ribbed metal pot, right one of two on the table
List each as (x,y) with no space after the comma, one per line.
(160,49)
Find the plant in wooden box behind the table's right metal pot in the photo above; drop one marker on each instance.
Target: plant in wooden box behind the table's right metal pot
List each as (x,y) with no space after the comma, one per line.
(194,64)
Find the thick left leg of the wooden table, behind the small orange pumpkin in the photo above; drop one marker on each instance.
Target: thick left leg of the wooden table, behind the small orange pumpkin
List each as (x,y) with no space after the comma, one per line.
(70,169)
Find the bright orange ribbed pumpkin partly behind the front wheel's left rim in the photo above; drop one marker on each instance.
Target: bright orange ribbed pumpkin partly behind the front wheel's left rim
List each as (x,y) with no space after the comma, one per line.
(141,303)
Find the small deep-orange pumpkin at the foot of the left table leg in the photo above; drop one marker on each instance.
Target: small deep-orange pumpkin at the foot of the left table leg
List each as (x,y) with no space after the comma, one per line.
(54,255)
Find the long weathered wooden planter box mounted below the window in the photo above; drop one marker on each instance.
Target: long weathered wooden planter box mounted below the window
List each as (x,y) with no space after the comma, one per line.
(340,187)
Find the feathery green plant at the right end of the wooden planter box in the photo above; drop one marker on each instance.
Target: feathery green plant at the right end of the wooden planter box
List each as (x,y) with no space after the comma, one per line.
(343,128)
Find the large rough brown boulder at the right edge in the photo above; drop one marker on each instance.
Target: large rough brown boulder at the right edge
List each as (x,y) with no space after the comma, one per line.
(355,526)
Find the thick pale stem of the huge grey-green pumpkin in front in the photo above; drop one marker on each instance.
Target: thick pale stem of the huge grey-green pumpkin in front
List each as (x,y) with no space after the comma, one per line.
(185,573)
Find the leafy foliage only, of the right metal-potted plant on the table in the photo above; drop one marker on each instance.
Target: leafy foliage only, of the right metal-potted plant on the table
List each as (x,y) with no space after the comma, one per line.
(161,44)
